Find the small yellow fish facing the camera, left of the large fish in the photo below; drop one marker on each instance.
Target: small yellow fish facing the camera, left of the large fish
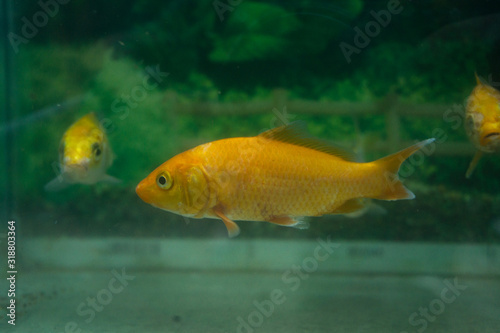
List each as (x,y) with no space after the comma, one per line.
(84,155)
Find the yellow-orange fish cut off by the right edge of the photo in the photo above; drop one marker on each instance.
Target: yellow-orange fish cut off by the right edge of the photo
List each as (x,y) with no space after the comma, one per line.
(482,121)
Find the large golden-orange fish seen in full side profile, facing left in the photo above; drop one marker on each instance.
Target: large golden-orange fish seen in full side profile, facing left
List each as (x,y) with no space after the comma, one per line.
(278,176)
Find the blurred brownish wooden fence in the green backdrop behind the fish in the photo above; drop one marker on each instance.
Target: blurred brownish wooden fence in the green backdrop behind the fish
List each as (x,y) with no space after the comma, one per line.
(391,107)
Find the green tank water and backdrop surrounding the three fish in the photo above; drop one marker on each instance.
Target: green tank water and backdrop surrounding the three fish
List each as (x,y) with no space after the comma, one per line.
(163,77)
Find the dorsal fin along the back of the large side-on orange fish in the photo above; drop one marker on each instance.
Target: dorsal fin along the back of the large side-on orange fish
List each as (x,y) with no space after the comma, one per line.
(296,134)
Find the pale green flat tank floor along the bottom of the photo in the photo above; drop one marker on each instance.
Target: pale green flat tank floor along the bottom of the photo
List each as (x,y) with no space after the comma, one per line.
(204,301)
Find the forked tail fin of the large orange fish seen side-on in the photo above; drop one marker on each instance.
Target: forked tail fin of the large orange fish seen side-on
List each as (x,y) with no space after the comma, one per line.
(395,190)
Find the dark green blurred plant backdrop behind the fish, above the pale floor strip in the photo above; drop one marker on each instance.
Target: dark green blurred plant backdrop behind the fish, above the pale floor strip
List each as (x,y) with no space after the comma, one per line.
(91,55)
